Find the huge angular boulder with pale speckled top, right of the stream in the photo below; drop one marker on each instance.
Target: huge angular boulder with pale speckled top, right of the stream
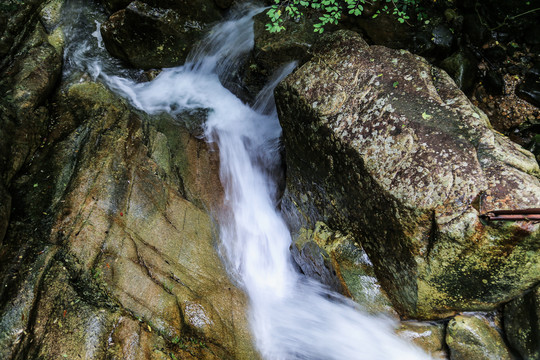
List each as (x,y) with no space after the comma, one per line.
(385,147)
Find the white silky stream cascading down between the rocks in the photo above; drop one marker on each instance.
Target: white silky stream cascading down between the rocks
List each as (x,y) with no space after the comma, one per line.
(291,316)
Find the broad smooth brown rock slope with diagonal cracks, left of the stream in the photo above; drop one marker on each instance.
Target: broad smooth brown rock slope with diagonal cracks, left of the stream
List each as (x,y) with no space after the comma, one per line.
(112,260)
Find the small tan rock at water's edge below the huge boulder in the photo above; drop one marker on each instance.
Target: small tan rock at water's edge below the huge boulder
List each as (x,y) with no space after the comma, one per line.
(428,336)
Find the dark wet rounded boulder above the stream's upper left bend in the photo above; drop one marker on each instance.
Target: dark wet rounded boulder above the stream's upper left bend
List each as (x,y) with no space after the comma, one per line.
(151,37)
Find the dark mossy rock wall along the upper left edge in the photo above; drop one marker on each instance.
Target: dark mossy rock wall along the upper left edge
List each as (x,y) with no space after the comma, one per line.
(29,69)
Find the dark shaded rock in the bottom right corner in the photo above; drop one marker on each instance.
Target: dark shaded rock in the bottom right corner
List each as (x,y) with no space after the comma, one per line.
(522,324)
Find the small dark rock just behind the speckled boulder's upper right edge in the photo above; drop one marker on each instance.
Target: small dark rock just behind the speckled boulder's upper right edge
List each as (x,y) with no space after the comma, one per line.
(462,67)
